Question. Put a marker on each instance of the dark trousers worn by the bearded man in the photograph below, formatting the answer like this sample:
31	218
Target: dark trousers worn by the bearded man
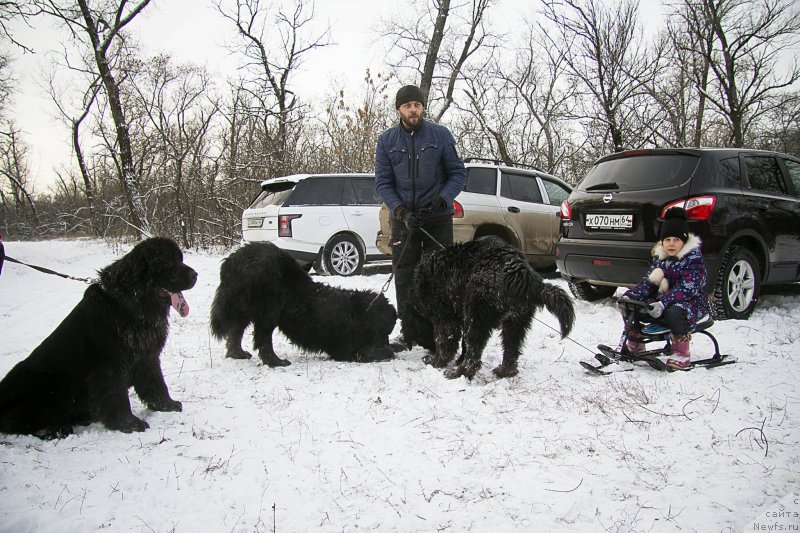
407	250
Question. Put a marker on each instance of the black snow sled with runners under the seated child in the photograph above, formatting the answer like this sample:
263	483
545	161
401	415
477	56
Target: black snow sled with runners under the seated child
621	359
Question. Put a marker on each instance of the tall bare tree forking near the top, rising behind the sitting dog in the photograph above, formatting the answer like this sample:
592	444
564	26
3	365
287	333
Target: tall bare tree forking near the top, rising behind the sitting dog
99	29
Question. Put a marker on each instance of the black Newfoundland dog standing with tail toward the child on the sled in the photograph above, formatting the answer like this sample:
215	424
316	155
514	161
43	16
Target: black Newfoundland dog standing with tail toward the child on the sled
473	288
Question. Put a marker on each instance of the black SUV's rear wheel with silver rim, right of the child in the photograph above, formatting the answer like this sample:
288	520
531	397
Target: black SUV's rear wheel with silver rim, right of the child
738	285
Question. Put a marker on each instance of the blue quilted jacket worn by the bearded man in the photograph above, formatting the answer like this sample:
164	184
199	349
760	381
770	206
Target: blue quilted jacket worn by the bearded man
412	168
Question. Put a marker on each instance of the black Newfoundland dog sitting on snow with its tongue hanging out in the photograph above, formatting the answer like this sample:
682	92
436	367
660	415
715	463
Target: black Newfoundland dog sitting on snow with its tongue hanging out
111	341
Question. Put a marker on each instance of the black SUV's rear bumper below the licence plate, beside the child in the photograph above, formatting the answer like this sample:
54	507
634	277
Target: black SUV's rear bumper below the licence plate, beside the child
603	262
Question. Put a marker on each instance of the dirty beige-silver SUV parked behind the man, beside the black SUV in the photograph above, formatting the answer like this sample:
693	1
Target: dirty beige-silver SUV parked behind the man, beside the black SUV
518	203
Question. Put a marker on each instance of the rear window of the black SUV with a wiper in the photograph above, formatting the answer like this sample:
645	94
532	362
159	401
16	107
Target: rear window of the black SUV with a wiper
641	172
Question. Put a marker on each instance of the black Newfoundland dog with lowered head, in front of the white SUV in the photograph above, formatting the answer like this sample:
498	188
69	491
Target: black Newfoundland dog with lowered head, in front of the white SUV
261	284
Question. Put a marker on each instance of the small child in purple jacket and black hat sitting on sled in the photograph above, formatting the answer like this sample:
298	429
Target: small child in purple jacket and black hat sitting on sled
673	287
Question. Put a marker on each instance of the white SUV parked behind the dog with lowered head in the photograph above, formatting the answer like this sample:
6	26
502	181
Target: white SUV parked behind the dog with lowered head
325	220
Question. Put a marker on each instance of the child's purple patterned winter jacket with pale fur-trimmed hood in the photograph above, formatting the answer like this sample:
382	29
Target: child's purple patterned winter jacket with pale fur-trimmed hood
678	280
